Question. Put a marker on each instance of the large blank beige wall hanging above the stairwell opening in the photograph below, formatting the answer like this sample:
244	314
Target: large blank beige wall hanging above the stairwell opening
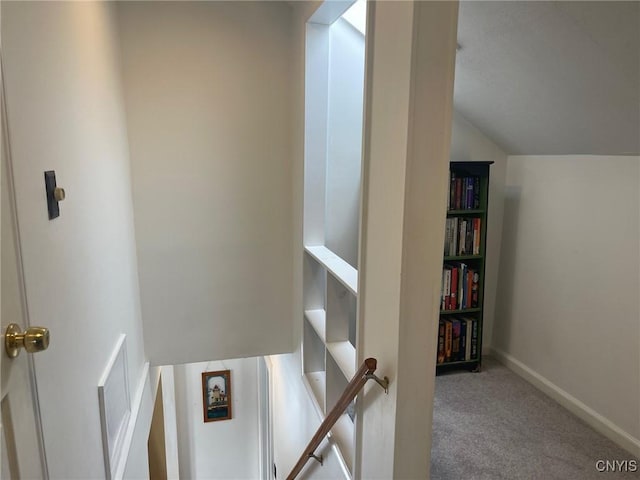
207	86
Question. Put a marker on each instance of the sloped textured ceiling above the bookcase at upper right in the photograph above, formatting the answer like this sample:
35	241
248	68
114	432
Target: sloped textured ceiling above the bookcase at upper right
551	77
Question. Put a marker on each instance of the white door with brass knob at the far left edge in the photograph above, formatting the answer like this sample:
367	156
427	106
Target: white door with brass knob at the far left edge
22	455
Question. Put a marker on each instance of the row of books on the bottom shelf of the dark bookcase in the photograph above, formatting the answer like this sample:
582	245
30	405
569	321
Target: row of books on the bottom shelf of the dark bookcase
457	340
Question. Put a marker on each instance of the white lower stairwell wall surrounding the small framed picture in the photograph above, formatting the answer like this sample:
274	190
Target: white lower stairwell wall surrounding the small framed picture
226	449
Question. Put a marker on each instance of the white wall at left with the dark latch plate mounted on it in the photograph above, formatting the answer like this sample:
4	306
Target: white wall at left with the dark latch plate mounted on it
66	112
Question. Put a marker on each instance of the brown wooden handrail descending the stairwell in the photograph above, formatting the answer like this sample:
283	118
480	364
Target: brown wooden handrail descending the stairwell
364	373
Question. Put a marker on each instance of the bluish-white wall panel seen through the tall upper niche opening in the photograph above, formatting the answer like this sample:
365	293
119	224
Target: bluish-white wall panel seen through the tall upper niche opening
344	140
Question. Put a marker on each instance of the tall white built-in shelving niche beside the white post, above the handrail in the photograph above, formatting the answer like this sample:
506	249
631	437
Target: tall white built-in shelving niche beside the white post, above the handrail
332	176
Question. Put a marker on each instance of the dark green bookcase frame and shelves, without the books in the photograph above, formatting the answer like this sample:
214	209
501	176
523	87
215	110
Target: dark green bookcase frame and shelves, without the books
474	262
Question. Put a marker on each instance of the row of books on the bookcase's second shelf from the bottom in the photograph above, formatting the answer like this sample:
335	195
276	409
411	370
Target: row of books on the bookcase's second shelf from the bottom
459	287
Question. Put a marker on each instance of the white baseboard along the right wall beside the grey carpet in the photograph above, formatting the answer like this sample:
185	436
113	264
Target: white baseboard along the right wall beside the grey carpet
575	406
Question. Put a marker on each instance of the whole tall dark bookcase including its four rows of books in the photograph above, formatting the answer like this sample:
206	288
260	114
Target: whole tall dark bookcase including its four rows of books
463	270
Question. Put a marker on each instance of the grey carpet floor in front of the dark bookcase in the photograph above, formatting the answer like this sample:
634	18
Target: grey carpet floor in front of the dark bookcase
494	425
